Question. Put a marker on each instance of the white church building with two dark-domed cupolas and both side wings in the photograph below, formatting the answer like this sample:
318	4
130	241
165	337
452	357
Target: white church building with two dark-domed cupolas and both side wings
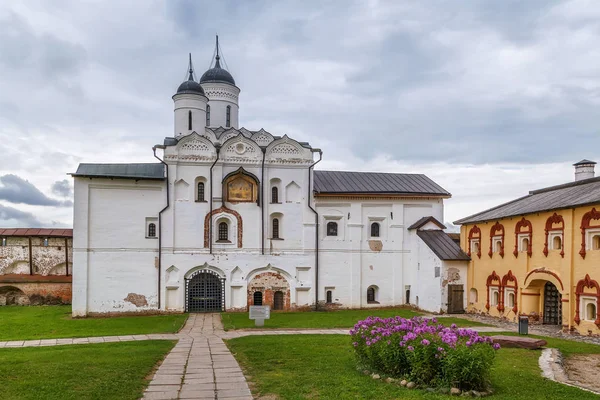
230	217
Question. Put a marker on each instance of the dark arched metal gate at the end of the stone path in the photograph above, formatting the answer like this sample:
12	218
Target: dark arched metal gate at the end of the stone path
204	292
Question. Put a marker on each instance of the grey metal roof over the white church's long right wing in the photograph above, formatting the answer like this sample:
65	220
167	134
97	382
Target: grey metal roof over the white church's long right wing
376	182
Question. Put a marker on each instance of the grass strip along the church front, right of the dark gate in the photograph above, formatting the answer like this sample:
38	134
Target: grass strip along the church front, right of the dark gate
326	319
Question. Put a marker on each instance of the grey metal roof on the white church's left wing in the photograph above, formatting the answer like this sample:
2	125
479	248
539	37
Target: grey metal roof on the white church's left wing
127	171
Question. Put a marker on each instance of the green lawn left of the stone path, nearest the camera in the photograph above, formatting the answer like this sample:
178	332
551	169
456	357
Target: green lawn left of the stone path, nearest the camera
96	371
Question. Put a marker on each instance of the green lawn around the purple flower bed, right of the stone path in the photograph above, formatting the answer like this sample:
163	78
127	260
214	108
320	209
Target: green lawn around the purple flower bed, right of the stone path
323	367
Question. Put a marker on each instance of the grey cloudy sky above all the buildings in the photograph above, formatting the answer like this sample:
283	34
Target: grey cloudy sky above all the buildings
490	99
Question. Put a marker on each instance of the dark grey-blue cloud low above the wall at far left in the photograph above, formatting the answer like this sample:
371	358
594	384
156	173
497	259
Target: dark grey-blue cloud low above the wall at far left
16	190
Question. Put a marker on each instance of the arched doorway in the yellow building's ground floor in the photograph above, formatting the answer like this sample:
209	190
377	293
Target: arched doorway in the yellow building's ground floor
542	296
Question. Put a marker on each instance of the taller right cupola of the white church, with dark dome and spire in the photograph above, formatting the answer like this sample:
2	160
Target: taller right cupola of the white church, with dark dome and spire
219	87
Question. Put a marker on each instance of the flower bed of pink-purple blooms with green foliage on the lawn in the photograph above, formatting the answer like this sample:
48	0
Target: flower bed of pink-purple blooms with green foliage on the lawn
425	352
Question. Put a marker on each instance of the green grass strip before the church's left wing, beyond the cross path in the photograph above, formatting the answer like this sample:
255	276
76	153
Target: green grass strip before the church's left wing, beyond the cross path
49	322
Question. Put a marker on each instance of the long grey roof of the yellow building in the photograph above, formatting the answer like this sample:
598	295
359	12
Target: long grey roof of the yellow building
572	194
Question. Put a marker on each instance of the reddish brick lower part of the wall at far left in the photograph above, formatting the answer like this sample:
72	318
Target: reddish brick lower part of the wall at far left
21	289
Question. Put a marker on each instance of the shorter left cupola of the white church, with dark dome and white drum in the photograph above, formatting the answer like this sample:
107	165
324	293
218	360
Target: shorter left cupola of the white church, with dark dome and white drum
190	105
